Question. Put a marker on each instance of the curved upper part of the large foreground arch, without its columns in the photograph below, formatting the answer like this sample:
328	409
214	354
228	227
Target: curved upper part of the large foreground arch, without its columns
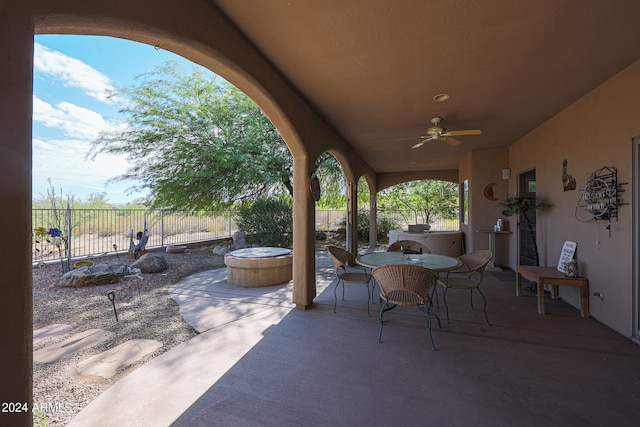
223	50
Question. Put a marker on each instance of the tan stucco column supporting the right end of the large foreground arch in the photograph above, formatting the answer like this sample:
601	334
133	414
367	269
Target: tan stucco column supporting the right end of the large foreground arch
304	236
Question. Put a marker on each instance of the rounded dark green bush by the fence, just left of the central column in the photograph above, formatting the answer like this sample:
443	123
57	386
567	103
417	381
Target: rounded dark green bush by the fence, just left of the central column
268	222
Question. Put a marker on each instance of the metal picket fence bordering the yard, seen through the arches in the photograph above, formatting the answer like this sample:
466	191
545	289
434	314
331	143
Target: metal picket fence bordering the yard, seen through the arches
97	232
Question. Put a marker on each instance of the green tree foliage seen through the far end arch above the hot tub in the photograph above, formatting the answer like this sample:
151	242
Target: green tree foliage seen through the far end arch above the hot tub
424	199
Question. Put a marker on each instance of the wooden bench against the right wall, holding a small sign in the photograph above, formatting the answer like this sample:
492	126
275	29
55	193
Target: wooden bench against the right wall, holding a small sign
551	276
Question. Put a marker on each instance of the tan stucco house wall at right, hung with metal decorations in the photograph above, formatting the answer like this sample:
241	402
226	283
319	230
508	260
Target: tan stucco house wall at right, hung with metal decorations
595	131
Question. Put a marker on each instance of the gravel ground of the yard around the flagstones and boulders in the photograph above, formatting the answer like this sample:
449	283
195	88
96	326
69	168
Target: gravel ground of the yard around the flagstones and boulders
145	310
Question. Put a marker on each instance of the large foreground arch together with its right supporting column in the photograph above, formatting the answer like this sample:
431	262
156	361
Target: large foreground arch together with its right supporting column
222	48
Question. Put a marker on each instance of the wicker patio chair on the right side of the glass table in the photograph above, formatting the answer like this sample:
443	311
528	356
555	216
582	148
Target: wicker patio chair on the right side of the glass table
475	264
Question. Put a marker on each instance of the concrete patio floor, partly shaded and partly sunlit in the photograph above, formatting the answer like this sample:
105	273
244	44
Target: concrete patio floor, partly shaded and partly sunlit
260	362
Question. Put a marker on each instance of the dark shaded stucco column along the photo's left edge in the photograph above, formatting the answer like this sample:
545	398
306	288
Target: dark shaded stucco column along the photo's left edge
16	325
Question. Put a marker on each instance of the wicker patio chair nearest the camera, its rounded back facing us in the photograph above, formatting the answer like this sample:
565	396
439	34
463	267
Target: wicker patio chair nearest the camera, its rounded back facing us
406	285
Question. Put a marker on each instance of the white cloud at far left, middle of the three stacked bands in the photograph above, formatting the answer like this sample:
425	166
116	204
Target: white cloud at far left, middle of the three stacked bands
75	121
